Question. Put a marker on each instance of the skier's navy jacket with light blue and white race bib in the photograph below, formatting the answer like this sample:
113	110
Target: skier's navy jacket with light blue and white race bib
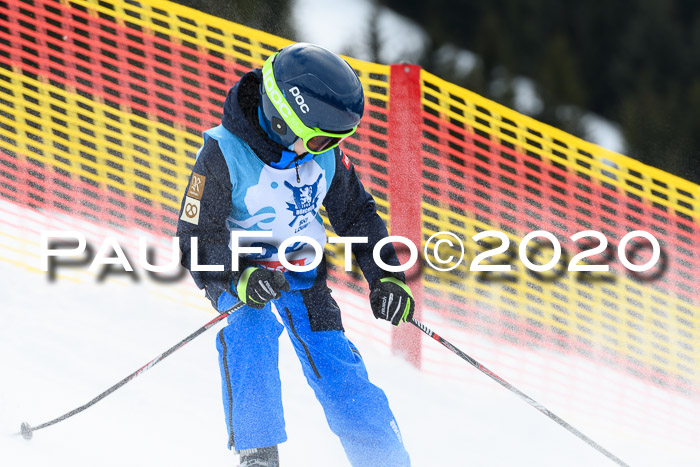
238	171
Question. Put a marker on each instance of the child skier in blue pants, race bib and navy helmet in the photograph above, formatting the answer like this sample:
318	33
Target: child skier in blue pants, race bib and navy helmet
266	171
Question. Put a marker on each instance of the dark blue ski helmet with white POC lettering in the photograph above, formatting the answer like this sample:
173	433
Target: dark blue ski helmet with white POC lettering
328	94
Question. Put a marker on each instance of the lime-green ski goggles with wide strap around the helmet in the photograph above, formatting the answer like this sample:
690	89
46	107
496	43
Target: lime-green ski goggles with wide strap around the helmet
315	140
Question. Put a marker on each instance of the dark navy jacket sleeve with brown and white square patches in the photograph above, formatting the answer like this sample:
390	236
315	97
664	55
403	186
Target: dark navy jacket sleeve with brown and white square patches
211	231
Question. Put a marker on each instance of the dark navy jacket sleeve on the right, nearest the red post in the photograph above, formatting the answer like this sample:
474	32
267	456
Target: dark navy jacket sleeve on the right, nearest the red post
352	213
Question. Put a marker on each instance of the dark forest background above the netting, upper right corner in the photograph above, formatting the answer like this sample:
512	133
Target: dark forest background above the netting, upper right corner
634	62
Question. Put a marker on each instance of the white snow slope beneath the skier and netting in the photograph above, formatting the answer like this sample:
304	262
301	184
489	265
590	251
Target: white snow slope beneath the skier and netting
65	342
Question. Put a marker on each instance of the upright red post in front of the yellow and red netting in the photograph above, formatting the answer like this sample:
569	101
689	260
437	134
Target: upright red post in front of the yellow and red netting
405	175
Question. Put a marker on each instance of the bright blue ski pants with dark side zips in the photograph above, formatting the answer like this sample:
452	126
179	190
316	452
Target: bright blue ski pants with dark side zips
357	411
